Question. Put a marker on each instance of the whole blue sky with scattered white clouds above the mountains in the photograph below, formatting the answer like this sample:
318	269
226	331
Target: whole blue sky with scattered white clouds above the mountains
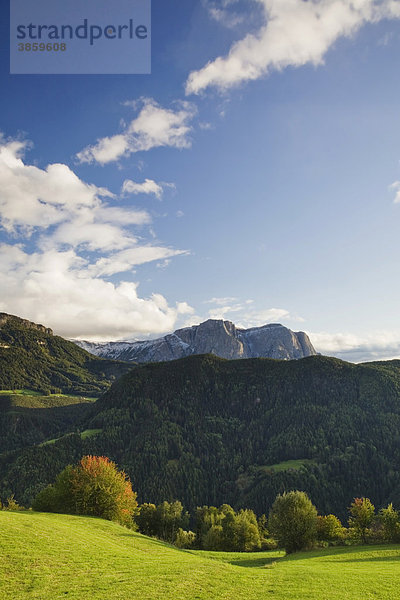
253	176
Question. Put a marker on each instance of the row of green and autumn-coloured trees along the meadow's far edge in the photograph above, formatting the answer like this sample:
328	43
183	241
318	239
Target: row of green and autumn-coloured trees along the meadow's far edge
96	487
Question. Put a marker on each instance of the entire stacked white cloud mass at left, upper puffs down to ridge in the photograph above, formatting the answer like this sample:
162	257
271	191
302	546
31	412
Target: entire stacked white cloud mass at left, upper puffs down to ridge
66	239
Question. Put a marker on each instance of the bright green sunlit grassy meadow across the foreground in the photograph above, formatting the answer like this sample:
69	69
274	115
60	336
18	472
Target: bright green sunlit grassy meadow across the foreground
47	557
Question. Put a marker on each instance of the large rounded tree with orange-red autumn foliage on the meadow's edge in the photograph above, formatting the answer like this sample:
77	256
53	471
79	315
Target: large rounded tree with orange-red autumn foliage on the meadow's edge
93	487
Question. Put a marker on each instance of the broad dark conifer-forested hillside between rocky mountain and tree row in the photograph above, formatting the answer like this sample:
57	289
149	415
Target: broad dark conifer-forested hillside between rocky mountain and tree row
207	431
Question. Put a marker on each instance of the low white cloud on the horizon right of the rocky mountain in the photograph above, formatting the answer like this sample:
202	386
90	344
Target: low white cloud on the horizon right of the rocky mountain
378	345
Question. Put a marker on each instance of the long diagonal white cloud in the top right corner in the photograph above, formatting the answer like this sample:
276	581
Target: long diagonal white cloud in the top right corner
294	33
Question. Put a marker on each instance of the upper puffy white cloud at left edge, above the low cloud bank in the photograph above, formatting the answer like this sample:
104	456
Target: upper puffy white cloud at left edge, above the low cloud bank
34	199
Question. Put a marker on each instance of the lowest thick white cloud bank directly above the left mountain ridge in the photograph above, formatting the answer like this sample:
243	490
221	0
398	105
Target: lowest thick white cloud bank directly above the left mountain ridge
55	288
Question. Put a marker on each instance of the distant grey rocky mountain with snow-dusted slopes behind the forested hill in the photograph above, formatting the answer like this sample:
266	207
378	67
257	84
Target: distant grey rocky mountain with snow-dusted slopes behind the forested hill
218	337
